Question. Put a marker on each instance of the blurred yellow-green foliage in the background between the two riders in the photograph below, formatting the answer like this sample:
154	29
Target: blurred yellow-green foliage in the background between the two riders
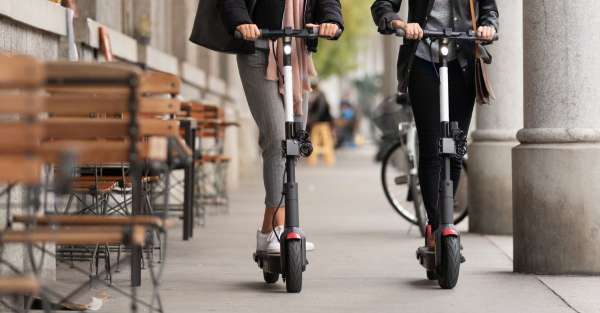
339	57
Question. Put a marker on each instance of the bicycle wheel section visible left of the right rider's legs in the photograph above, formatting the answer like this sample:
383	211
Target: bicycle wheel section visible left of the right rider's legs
394	180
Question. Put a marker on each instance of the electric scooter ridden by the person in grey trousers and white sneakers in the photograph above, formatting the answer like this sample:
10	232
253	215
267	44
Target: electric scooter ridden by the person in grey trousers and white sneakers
291	261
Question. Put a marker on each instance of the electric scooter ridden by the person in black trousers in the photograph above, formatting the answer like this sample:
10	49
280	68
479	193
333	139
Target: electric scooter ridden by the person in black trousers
443	263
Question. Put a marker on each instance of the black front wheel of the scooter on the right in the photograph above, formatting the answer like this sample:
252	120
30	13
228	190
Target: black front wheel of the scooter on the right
449	268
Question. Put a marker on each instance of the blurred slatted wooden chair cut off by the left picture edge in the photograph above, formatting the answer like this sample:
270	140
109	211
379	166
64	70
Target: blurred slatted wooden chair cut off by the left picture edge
22	131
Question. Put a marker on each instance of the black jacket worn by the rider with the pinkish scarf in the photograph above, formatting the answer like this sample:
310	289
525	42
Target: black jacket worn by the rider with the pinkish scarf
237	12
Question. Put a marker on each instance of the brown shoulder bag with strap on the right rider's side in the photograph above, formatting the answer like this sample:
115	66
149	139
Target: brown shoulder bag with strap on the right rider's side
483	86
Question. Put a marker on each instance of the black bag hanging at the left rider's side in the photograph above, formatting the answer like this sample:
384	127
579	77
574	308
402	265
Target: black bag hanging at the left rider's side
210	31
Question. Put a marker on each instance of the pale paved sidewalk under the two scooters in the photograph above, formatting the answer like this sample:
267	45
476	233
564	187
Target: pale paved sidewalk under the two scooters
364	261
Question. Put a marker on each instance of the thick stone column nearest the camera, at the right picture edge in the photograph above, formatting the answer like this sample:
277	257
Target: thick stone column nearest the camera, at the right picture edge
556	169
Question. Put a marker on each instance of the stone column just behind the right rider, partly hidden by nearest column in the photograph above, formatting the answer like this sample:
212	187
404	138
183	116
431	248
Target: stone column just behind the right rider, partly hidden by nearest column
490	171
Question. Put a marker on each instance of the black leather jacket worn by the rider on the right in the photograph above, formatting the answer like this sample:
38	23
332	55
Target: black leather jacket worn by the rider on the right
384	11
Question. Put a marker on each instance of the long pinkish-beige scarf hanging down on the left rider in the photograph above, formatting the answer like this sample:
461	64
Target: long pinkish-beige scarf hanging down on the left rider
302	62
